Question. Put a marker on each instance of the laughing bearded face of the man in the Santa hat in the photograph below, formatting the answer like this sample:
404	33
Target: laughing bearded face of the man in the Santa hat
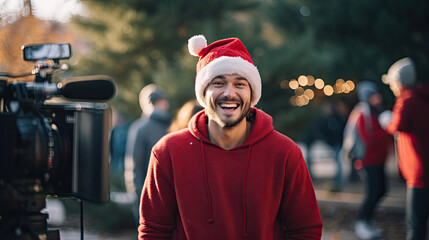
228	99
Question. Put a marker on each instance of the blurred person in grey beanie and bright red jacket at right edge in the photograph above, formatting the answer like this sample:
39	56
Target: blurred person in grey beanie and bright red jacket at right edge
409	124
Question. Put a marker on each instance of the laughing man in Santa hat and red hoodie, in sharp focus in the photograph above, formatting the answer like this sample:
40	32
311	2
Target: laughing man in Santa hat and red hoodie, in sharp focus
229	175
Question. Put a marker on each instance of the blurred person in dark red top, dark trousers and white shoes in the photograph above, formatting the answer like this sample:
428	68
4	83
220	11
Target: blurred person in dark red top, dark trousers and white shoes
376	148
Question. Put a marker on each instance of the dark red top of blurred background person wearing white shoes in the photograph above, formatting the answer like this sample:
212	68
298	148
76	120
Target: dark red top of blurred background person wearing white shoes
377	142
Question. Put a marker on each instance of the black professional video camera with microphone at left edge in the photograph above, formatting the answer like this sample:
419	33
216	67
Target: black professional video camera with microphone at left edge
50	148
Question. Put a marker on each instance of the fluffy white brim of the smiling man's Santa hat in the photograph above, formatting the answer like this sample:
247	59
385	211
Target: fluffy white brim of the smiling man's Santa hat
228	65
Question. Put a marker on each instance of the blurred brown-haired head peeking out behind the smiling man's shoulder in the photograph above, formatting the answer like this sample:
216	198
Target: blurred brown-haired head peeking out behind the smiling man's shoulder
185	113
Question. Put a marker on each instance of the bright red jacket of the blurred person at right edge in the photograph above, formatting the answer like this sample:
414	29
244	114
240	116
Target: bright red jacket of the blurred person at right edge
411	119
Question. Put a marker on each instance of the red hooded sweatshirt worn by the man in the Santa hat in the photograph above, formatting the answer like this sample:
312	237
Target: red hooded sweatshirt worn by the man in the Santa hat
196	190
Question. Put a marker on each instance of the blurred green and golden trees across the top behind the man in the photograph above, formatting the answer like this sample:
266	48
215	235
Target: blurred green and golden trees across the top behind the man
138	42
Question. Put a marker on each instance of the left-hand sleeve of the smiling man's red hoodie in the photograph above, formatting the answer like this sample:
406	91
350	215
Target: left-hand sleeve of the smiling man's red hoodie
158	208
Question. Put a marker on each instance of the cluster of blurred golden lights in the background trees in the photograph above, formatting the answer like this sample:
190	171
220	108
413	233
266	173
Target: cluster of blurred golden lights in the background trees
304	92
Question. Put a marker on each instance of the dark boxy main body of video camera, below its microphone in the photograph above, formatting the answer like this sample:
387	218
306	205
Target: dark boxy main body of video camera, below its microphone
62	149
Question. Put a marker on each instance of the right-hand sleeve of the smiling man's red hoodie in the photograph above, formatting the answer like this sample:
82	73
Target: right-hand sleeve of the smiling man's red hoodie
299	209
